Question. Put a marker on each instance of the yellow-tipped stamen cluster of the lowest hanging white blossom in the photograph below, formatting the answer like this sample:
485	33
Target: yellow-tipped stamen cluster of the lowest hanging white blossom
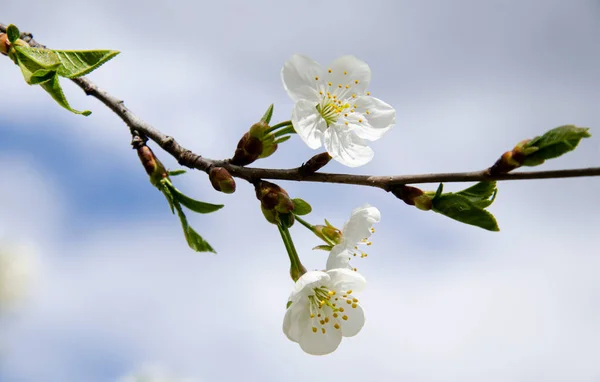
327	308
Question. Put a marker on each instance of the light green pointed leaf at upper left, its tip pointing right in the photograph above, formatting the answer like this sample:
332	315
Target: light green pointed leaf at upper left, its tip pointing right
79	63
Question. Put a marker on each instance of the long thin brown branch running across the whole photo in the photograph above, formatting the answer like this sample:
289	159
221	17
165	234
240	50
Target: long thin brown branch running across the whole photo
189	159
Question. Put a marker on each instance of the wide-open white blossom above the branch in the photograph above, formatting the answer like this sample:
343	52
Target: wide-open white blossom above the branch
334	108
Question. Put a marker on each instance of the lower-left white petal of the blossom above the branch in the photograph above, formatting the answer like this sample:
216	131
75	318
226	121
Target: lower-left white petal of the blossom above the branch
308	123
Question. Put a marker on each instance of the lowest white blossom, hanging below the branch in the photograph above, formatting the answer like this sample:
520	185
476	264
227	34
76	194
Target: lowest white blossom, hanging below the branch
322	309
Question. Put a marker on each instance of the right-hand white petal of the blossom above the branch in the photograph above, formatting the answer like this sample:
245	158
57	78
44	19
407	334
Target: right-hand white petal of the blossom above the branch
378	121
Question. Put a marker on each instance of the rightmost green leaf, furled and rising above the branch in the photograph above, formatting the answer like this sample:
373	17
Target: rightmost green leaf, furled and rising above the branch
554	143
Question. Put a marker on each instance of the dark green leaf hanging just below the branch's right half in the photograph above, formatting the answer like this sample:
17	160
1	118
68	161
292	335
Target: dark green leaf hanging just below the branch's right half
462	209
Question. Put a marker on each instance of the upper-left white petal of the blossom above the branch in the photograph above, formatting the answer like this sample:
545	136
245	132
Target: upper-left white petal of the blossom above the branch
301	77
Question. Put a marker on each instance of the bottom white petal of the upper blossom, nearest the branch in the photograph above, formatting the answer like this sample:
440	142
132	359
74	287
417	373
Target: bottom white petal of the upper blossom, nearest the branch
347	148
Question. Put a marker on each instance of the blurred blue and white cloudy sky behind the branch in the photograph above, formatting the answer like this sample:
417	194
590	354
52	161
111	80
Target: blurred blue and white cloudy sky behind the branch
117	286
